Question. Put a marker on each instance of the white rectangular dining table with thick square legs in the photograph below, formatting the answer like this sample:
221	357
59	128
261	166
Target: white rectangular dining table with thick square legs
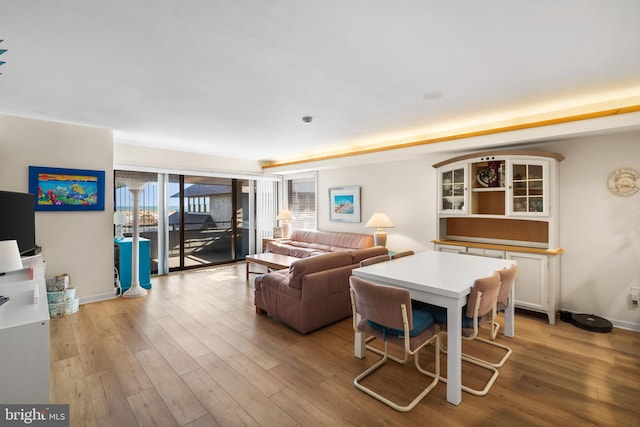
442	279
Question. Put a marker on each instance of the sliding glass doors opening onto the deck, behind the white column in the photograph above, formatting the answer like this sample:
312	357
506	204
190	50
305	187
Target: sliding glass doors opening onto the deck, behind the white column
200	220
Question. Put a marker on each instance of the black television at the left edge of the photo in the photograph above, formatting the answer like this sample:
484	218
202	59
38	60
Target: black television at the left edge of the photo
17	220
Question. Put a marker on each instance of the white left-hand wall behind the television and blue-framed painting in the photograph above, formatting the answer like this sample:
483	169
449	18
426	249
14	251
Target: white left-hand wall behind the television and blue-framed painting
77	243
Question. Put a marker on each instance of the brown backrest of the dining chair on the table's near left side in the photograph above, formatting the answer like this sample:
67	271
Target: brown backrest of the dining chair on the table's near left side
381	304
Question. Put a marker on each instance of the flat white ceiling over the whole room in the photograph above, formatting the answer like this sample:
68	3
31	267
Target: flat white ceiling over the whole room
234	78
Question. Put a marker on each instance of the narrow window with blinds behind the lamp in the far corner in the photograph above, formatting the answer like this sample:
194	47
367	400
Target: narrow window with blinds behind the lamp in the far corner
300	198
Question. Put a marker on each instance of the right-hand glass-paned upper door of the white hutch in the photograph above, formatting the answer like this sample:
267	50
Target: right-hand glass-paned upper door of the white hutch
528	191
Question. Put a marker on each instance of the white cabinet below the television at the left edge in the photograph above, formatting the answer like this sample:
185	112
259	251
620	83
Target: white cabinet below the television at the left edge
24	338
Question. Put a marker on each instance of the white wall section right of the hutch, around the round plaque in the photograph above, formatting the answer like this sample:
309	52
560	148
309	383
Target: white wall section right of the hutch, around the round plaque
599	231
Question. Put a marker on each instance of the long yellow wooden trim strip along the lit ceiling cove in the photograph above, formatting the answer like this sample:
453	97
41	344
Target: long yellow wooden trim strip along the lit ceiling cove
491	131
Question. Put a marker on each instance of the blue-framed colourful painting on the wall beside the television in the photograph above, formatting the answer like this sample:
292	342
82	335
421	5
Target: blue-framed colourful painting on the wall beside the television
59	189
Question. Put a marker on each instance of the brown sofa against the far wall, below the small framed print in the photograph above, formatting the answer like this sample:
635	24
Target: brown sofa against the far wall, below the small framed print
305	243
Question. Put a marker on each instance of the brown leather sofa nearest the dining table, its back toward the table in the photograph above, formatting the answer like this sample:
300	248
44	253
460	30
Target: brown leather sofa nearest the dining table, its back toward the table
314	291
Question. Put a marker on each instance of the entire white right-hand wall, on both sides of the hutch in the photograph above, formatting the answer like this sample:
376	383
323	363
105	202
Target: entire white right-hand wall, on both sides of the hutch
600	232
